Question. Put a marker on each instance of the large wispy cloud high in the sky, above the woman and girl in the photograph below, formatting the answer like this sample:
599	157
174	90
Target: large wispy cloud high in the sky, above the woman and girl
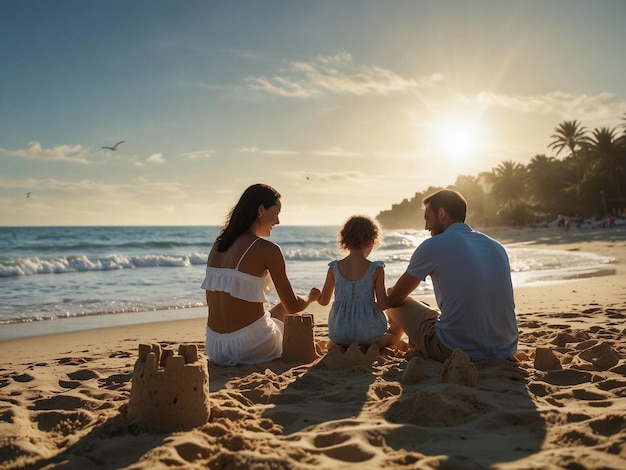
336	75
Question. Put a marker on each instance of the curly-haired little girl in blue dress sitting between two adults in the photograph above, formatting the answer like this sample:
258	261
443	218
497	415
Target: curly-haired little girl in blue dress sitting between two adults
356	315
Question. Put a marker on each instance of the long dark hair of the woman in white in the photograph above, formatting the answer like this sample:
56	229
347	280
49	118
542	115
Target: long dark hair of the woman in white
245	212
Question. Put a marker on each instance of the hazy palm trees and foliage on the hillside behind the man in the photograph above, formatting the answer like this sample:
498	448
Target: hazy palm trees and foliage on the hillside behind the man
589	181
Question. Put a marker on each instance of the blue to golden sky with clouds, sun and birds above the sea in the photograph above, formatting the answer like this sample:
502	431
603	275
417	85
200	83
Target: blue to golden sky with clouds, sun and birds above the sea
345	107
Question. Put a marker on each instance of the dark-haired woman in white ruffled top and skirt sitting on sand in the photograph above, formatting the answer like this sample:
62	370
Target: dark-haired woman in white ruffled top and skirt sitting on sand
242	268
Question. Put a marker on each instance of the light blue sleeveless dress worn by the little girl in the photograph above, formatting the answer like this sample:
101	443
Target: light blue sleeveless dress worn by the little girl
354	316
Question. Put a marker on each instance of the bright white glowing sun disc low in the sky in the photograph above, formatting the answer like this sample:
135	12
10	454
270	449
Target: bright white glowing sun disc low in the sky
458	138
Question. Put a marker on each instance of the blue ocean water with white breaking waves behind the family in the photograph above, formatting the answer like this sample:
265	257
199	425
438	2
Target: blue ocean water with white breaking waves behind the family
48	273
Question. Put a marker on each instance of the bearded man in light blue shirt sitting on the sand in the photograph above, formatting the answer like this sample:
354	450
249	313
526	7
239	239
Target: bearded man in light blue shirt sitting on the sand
471	277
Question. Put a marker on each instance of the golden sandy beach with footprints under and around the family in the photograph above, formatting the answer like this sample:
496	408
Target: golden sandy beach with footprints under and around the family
64	397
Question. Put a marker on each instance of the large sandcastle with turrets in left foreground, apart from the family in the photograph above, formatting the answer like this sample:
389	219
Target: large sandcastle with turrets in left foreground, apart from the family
169	391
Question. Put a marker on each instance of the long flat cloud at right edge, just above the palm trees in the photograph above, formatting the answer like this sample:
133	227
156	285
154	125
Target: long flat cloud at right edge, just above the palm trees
566	105
